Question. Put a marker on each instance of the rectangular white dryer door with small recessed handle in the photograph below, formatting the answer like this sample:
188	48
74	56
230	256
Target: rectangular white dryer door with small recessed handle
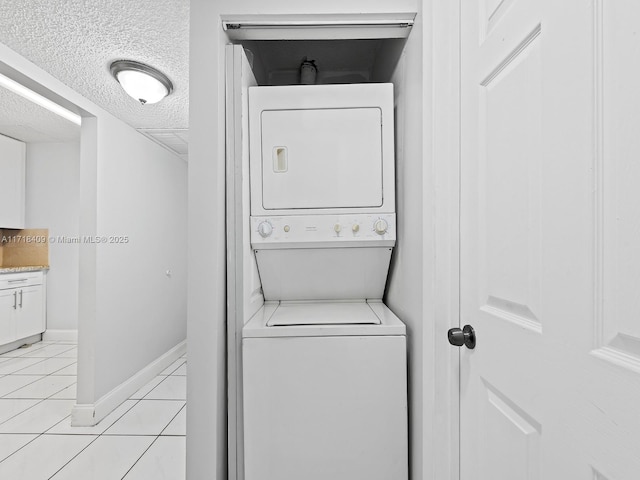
321	158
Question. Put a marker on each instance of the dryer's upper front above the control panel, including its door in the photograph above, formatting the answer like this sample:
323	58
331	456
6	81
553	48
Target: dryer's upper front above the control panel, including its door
321	149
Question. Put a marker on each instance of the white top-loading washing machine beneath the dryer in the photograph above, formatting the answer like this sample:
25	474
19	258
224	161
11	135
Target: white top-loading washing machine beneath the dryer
325	392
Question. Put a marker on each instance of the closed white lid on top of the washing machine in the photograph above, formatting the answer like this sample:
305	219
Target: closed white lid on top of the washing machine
323	313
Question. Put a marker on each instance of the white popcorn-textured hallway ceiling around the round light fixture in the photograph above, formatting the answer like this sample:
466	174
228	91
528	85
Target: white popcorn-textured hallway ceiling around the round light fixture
76	40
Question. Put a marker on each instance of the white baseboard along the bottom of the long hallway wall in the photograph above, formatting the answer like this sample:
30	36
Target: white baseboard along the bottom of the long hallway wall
88	415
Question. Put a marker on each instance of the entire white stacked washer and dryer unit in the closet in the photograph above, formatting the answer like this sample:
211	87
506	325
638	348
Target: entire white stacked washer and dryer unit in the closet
324	360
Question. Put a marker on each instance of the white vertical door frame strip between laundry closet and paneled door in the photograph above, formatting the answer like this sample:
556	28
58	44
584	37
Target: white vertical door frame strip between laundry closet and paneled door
441	262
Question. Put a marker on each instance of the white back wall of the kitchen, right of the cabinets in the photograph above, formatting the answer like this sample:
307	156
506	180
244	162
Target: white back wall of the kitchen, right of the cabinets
52	201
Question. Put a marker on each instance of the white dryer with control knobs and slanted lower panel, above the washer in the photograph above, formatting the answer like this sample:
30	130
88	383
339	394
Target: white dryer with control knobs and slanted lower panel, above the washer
322	190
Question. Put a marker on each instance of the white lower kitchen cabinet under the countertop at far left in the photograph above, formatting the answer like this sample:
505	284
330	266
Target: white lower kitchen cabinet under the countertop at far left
22	306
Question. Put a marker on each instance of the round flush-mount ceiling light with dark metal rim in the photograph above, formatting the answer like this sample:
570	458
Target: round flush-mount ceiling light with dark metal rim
140	81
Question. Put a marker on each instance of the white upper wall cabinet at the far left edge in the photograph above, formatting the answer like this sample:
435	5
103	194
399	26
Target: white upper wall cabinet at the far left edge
12	182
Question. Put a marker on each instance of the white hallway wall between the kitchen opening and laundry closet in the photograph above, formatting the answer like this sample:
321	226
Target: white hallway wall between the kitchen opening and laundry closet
139	201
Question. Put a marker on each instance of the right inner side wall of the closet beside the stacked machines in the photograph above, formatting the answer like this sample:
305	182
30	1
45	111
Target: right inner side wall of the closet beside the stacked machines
406	295
